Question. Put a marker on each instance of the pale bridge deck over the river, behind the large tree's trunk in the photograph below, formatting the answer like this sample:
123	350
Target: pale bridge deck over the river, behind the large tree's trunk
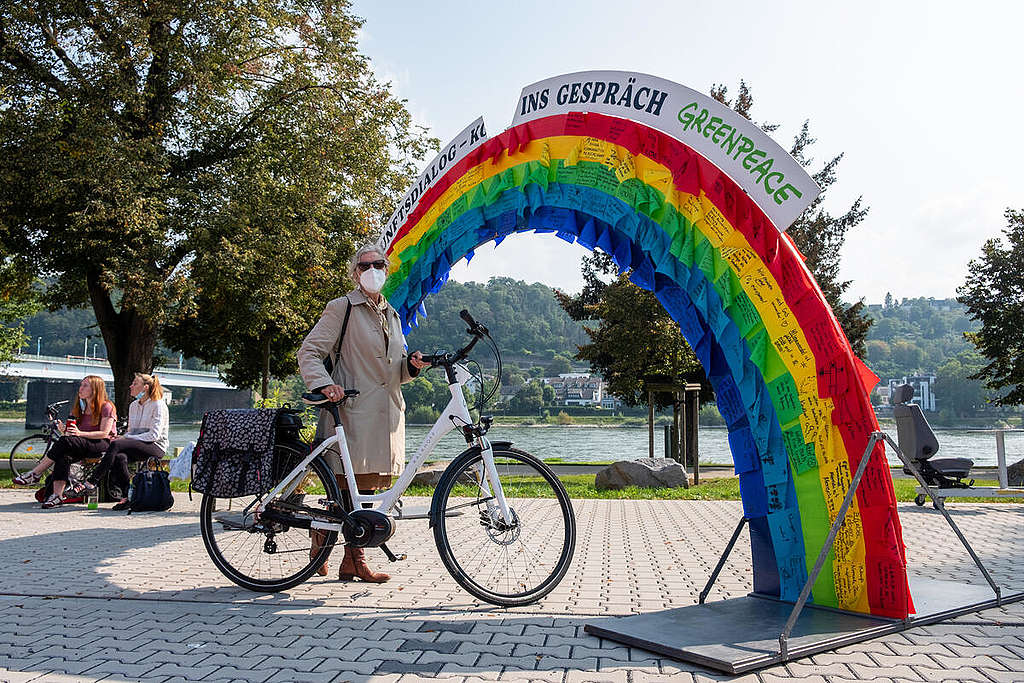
73	368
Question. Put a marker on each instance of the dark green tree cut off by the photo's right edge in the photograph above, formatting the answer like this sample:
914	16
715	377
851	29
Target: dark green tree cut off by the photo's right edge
994	294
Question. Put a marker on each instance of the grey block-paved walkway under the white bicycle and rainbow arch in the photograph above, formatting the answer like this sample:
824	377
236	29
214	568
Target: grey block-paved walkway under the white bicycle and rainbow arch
105	596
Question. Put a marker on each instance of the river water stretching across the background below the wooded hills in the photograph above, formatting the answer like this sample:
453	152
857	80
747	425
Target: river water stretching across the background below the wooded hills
608	444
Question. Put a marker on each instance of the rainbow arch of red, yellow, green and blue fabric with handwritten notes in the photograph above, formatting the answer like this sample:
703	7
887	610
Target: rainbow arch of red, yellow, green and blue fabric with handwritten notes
792	392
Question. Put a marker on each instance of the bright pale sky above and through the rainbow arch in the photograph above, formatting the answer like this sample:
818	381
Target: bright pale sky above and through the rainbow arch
924	99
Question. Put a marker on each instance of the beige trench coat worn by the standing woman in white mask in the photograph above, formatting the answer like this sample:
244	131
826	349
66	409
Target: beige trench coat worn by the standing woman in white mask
375	421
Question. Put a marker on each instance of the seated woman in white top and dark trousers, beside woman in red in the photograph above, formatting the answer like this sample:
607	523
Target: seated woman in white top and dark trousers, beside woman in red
147	438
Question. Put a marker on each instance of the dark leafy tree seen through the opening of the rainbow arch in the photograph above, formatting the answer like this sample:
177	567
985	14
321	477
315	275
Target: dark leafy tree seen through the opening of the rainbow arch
634	336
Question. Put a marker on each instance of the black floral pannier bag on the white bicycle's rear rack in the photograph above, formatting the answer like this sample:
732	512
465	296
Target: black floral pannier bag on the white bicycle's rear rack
235	453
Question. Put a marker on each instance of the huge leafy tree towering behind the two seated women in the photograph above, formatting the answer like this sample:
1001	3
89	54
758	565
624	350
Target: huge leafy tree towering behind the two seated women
137	141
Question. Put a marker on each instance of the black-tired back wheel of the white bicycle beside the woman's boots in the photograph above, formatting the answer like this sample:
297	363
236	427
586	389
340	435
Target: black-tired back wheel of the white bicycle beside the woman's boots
247	558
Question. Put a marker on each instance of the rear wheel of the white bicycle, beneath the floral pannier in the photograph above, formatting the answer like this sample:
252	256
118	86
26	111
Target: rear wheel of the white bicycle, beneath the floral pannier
276	556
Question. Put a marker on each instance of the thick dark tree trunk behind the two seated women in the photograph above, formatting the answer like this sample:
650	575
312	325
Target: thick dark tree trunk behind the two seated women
131	341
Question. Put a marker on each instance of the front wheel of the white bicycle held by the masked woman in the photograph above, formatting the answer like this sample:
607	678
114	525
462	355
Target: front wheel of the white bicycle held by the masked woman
498	562
